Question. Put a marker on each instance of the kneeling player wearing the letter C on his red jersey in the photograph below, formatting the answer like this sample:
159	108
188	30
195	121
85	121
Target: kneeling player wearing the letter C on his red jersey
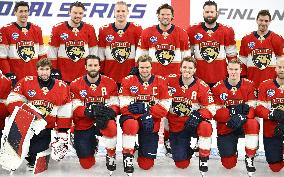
144	100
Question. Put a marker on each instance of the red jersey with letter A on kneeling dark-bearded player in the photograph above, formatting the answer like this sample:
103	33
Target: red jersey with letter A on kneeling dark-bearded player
84	93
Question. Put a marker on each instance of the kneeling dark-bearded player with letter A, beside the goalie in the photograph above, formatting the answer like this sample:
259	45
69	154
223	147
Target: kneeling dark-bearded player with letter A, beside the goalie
95	106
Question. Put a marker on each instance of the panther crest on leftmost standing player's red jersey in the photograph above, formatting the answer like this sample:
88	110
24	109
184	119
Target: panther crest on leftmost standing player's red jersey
25	50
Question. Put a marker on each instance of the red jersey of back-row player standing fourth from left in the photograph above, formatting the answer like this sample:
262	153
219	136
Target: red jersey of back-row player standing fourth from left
167	48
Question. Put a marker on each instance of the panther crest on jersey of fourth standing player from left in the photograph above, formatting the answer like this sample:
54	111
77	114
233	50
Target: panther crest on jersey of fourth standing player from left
165	53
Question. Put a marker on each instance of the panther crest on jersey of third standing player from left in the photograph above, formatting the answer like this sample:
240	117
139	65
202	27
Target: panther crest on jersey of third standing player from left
120	51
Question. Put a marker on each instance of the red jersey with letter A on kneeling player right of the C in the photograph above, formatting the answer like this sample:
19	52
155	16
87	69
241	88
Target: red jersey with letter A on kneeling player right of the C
186	98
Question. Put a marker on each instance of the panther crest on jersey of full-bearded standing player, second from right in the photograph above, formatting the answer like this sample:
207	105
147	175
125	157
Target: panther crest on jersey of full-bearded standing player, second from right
209	50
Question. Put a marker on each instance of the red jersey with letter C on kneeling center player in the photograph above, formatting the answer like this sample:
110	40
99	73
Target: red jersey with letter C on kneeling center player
154	92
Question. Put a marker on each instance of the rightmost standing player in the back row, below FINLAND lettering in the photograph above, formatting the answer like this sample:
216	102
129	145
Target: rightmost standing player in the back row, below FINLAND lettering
260	49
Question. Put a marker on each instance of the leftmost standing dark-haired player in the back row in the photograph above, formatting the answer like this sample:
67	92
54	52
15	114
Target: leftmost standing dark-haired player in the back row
21	45
